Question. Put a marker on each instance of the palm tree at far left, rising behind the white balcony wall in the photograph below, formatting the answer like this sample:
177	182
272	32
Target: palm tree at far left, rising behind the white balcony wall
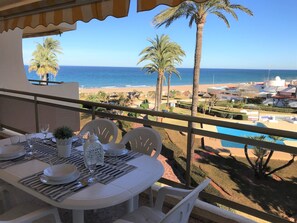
45	59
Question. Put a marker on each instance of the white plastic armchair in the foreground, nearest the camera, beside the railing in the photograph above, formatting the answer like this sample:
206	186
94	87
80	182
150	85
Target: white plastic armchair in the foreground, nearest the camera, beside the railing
180	213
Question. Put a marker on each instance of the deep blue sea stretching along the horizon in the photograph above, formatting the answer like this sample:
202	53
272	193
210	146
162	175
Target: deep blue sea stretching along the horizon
89	77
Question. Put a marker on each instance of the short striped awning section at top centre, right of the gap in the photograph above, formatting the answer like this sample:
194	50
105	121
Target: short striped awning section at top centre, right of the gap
145	5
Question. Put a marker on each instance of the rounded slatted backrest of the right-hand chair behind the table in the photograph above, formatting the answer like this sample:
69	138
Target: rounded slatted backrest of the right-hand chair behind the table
144	140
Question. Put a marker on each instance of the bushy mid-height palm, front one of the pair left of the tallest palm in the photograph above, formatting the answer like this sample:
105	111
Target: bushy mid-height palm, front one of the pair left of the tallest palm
163	56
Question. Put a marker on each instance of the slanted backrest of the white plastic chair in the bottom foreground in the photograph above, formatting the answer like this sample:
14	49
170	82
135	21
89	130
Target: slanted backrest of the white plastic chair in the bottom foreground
180	213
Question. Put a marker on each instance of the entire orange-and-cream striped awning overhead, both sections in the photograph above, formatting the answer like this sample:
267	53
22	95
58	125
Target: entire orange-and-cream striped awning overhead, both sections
31	13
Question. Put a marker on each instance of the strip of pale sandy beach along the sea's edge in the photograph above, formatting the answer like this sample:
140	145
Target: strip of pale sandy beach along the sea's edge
202	88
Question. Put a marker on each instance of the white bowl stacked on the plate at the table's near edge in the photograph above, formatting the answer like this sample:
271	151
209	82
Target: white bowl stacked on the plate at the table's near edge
60	172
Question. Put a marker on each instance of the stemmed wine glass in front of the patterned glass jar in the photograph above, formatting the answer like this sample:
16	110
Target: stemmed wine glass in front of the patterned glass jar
91	158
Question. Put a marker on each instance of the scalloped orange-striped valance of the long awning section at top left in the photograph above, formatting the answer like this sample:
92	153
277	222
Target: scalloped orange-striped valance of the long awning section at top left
95	10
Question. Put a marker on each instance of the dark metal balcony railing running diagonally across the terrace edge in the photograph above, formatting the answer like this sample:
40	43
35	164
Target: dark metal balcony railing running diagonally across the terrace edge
90	108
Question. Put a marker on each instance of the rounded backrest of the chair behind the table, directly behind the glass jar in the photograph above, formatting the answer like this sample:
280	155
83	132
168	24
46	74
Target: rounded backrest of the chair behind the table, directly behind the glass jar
105	129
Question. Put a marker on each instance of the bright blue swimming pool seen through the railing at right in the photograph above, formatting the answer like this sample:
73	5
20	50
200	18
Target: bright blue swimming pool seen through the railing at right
242	133
